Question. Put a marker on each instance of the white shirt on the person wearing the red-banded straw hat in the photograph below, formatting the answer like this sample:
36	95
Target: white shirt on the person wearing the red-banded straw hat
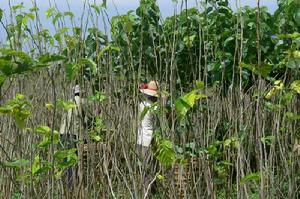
145	129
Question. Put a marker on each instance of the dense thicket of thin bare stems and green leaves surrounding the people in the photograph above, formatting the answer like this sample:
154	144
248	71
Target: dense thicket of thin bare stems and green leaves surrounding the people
245	144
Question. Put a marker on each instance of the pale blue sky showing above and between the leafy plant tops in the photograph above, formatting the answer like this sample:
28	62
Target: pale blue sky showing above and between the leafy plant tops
115	7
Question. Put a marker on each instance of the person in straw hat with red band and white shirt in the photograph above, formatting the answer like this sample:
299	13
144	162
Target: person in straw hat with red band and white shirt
146	127
